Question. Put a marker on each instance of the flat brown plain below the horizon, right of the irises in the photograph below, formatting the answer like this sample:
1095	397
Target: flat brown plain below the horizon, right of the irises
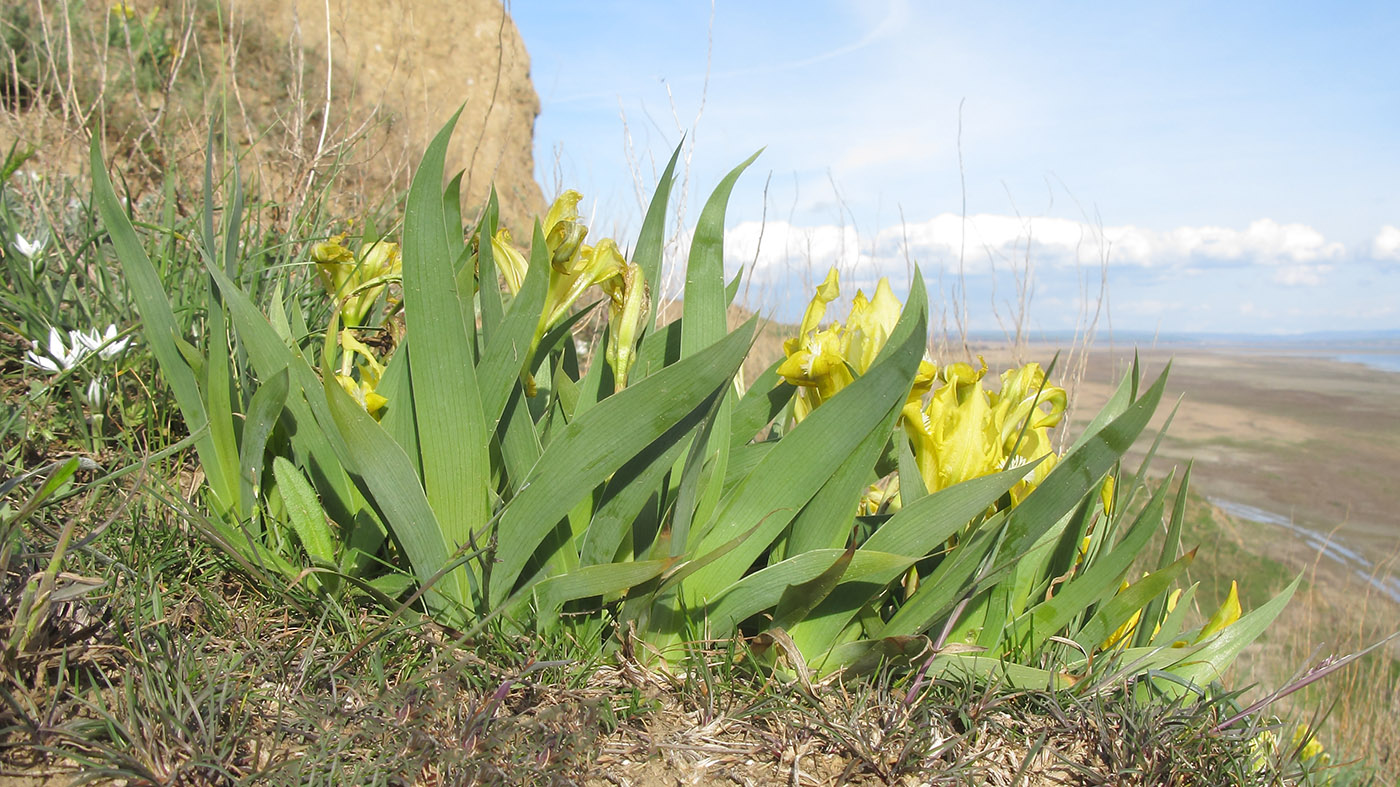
1312	440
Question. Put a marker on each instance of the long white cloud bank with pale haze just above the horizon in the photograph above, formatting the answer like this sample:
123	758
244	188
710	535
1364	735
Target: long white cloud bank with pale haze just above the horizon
1268	275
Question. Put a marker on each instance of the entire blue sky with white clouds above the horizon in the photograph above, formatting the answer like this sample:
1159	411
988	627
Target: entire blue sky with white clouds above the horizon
1227	167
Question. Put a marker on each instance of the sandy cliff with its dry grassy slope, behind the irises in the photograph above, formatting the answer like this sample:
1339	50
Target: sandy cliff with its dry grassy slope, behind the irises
400	69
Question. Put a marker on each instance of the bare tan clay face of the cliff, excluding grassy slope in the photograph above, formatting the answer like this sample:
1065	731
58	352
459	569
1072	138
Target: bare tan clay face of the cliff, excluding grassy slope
416	62
